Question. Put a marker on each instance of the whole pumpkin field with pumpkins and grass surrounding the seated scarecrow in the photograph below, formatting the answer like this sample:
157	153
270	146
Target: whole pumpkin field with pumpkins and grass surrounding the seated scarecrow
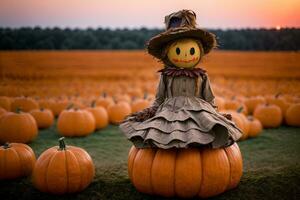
83	96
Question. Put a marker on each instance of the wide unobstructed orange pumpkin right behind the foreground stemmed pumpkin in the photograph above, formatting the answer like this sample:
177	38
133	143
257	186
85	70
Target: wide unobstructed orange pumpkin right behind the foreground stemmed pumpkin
76	122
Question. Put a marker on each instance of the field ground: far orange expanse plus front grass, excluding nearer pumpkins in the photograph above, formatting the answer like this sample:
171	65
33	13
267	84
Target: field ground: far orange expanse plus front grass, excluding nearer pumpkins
51	79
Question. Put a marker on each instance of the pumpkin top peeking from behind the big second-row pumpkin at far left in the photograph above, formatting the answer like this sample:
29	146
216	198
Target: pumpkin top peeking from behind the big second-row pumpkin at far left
25	104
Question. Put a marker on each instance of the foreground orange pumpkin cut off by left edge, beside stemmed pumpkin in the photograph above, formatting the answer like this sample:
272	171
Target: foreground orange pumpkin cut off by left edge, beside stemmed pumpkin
16	160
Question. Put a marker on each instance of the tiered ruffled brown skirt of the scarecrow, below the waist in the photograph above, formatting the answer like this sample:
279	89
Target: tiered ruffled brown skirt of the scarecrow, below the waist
182	122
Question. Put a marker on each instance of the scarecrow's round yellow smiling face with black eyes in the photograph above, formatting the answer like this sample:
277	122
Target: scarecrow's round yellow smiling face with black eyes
184	53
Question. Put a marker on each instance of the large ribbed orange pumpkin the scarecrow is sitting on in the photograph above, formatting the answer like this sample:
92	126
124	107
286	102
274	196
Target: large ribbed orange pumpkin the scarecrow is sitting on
185	172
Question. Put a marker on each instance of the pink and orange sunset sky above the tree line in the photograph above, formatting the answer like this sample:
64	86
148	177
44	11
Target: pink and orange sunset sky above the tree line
148	13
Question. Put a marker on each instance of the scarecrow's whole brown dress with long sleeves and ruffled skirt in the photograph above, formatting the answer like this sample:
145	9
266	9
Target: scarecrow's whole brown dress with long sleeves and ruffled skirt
184	115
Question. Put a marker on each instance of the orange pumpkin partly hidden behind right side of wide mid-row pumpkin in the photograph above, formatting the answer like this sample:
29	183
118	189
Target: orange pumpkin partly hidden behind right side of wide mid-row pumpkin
100	115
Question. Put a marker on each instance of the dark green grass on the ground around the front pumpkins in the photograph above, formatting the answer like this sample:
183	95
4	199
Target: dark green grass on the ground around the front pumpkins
271	167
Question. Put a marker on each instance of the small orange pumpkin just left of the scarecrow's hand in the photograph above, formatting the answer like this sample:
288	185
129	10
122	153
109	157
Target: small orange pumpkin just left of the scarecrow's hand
118	112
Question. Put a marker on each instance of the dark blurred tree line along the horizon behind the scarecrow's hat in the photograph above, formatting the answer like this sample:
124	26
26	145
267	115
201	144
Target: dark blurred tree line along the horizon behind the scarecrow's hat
57	38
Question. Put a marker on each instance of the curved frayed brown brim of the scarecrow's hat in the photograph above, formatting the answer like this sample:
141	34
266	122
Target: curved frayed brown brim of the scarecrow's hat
157	43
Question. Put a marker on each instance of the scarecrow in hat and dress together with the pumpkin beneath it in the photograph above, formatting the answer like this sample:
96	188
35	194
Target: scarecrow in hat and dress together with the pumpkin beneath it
183	118
